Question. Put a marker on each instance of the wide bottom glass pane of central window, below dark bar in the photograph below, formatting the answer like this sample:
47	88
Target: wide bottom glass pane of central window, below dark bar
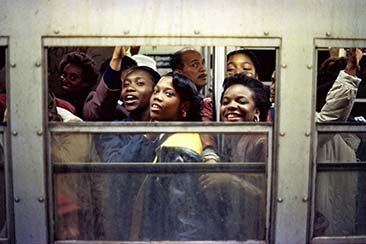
207	206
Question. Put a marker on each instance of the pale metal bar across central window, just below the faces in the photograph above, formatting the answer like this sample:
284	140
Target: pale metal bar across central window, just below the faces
159	127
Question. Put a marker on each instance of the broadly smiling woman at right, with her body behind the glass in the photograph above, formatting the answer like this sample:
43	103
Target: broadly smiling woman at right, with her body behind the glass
241	196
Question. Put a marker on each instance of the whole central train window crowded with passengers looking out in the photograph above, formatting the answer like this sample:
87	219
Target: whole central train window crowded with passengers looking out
125	181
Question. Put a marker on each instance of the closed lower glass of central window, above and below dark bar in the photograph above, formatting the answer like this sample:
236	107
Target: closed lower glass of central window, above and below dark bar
159	206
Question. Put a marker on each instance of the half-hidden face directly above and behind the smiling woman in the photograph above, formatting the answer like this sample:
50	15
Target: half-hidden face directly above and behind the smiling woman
240	63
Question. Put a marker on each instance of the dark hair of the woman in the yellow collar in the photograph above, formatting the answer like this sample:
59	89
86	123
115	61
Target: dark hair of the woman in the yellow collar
188	93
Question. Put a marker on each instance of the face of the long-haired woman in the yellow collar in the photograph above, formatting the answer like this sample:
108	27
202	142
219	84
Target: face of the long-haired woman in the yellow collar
165	102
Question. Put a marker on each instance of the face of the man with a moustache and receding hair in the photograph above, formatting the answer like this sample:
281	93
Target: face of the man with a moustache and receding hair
193	68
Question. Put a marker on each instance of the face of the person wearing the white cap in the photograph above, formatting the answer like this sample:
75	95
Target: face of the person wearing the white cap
137	88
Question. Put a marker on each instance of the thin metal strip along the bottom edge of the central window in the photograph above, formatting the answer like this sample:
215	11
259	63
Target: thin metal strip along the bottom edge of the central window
162	242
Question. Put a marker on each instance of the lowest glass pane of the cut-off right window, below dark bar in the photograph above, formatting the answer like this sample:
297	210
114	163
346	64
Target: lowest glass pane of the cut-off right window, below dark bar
340	204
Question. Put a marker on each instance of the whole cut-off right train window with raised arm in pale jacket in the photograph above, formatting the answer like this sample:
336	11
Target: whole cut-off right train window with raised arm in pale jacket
340	154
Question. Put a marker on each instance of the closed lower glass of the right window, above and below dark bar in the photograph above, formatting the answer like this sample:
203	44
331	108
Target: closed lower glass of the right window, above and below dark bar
340	194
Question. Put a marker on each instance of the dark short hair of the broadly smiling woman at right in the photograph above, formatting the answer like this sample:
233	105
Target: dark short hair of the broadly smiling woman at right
260	93
